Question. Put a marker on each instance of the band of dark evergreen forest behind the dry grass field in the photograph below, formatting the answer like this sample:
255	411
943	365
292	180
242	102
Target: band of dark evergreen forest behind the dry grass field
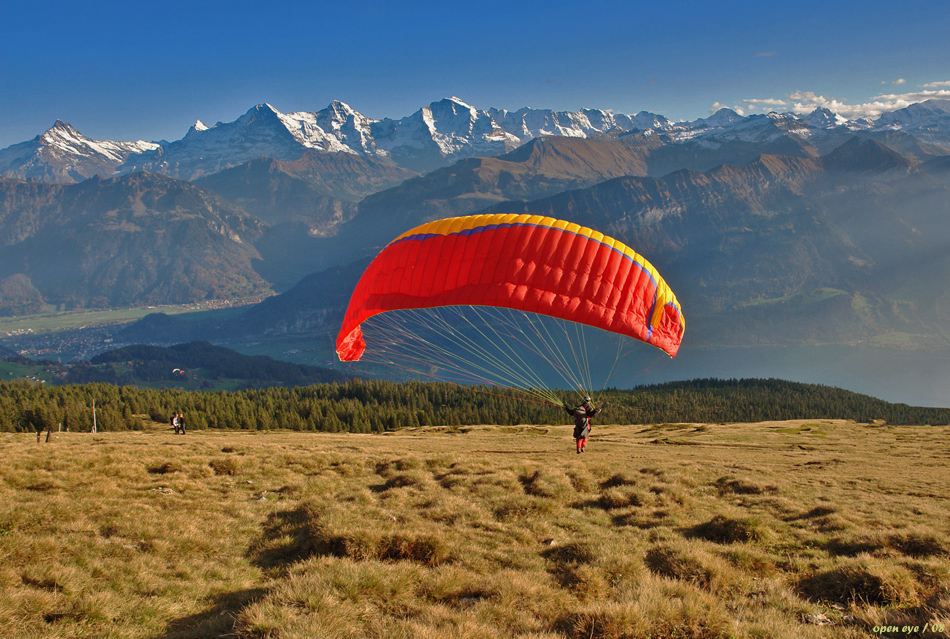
375	406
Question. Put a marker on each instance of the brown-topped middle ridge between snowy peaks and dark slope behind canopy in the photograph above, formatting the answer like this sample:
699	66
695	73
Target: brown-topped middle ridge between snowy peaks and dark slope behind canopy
550	165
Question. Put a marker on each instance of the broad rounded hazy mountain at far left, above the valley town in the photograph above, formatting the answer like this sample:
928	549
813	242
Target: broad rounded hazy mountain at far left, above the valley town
134	240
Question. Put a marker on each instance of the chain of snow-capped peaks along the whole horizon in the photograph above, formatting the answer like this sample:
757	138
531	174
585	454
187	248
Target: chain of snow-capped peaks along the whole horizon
436	135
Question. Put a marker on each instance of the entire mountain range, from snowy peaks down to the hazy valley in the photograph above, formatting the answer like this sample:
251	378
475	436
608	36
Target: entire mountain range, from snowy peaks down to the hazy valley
773	229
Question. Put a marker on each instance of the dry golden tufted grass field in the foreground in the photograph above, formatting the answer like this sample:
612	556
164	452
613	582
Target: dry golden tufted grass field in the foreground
792	529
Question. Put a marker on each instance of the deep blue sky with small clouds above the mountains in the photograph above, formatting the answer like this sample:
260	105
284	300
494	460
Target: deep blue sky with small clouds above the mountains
147	70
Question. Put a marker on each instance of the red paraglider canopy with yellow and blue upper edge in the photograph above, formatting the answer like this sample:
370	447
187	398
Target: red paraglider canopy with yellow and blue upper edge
524	262
